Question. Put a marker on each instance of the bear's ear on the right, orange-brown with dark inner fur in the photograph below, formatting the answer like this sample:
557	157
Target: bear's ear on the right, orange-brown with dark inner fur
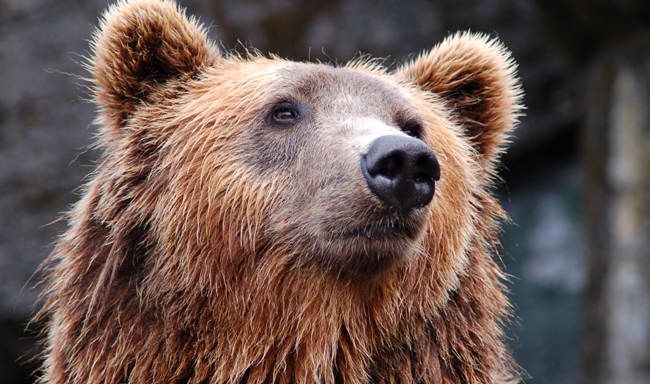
477	79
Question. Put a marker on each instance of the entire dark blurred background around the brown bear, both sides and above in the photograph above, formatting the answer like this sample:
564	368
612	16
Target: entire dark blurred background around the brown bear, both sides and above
576	179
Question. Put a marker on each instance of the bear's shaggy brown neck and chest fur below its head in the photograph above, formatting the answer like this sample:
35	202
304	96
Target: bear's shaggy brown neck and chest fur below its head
121	319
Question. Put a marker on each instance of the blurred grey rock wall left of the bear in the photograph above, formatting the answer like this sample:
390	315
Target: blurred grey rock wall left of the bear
43	126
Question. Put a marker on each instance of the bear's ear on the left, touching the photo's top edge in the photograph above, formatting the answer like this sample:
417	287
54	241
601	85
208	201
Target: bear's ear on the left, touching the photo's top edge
140	45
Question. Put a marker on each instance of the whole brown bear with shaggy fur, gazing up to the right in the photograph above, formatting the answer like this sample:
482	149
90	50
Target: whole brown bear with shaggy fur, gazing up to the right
257	220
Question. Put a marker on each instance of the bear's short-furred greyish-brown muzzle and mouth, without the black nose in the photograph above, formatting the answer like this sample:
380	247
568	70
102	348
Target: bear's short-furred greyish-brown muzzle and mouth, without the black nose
333	217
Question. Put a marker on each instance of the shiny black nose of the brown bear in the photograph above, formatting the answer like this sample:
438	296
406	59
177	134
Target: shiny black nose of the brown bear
401	171
